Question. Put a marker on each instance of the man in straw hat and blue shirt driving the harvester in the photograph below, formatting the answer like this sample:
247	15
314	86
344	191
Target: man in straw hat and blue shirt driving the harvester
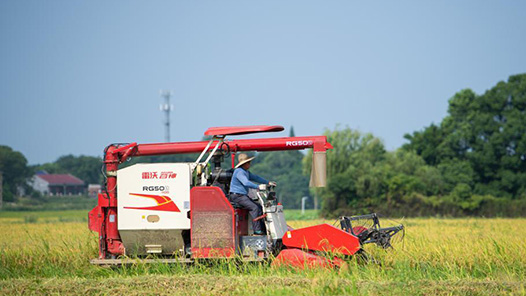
239	187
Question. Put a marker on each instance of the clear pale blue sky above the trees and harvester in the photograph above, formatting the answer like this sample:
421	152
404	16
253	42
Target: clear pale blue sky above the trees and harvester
78	75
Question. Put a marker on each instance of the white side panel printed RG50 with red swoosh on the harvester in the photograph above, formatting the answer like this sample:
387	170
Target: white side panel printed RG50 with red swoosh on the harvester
153	196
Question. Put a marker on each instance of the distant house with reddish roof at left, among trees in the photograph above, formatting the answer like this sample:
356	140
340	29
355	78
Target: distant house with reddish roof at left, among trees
57	184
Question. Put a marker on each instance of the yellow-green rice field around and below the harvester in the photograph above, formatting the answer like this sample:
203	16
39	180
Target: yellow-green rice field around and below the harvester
49	253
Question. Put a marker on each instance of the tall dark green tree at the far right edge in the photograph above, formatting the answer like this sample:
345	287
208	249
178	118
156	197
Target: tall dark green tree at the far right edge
481	144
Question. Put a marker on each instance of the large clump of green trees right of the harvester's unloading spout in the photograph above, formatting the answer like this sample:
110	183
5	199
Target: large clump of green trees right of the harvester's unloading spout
471	163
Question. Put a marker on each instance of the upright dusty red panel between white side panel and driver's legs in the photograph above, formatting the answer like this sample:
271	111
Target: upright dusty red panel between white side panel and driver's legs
213	224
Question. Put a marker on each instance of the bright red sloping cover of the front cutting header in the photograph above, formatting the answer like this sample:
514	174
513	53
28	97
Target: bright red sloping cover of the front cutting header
323	237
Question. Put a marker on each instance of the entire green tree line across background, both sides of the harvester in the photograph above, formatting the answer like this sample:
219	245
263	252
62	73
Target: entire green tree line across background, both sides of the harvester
471	163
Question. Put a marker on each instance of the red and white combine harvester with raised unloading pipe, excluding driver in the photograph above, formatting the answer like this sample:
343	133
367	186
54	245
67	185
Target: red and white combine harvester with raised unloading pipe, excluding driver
180	212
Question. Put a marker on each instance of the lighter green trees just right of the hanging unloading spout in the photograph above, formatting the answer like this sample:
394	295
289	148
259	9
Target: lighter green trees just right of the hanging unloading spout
363	177
